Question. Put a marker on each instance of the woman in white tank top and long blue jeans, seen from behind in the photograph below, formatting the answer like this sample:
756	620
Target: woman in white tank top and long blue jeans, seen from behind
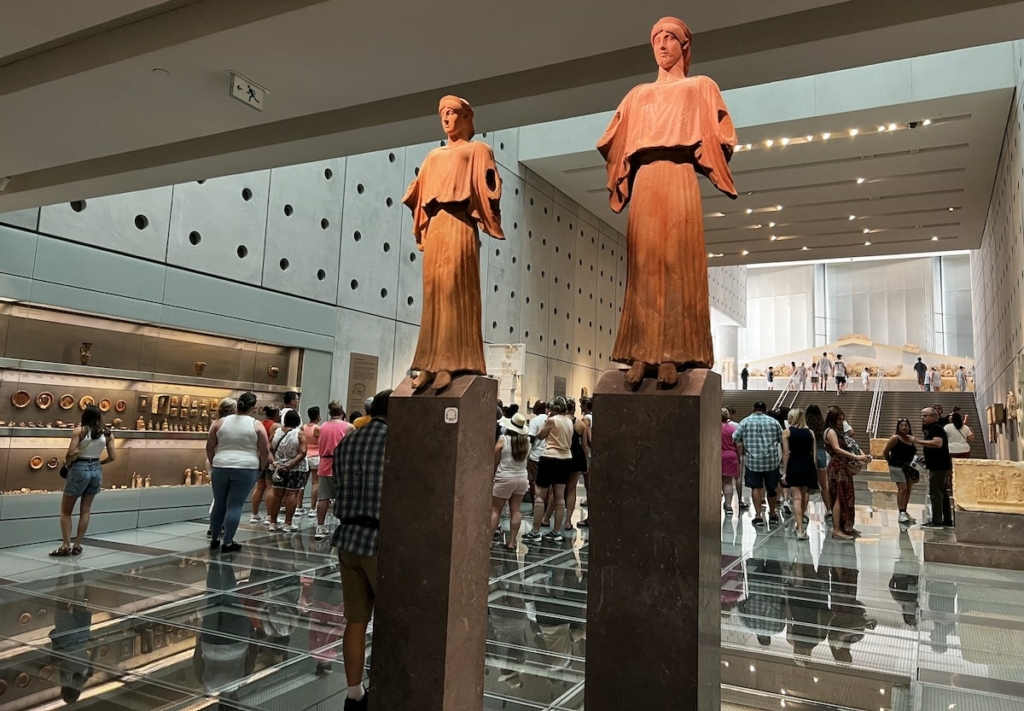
238	449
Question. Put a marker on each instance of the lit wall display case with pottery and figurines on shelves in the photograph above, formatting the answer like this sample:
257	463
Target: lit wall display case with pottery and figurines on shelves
159	390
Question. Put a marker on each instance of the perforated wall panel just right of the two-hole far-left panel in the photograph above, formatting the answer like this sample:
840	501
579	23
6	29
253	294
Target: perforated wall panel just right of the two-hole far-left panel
219	227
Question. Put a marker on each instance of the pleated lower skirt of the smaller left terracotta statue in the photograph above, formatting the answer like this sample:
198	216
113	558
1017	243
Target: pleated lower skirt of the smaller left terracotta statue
451	331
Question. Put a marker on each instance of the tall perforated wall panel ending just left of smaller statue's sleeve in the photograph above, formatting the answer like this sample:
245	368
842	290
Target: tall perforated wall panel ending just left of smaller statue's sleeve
372	236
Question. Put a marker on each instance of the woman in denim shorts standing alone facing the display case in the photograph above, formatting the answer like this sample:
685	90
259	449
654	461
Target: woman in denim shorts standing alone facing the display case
84	478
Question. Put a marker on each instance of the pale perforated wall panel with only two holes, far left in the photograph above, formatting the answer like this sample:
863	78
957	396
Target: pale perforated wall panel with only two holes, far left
134	224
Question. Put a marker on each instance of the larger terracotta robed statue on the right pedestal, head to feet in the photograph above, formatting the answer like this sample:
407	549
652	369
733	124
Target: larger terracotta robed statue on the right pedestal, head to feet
662	137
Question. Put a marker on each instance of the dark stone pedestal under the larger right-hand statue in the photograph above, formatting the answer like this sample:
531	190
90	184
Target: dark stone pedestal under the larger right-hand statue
654	600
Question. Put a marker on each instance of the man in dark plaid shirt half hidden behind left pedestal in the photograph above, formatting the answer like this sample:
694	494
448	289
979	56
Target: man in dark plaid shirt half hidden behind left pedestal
359	464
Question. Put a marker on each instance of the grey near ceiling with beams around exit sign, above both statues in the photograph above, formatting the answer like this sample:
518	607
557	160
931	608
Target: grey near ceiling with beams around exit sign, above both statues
108	98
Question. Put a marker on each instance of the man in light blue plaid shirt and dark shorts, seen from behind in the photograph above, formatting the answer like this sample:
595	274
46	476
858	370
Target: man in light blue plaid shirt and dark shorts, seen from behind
759	440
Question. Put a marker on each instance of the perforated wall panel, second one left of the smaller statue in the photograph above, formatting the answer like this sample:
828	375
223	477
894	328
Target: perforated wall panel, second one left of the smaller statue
304	230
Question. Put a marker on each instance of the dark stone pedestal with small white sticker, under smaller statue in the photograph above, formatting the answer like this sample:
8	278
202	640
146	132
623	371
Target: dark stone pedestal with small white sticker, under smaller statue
432	614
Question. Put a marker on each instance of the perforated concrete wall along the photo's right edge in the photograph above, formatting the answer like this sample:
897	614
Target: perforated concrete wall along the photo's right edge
998	275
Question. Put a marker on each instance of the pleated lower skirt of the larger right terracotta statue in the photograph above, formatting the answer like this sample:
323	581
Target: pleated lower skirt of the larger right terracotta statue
666	314
